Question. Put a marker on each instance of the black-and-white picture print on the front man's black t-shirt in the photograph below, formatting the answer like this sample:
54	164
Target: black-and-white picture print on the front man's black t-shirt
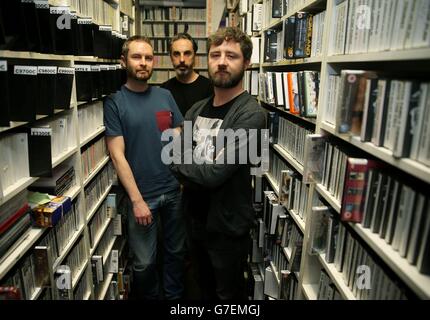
205	131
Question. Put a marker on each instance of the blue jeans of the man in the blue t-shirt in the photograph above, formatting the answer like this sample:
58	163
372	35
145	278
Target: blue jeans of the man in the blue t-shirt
167	218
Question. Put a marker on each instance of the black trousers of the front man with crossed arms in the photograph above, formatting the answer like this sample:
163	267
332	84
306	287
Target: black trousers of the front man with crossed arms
220	262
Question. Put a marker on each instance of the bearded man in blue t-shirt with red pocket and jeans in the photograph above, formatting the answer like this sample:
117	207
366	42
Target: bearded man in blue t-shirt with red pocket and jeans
135	118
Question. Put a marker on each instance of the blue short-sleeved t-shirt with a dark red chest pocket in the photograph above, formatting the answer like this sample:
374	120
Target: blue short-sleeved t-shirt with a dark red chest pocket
141	117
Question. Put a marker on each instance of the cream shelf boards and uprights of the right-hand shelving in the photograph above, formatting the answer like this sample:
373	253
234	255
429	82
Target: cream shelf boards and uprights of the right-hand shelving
409	63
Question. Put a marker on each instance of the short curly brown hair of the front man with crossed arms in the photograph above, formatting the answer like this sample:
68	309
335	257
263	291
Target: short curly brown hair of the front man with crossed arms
235	34
